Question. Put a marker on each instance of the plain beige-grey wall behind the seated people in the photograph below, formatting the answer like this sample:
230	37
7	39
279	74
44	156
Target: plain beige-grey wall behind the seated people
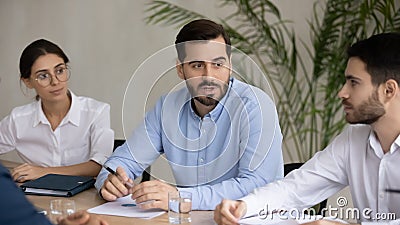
106	42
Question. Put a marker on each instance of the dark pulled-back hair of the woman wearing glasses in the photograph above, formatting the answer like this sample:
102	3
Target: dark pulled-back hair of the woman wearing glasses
33	51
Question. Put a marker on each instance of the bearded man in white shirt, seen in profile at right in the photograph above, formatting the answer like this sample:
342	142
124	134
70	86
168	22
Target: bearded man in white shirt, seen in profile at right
364	156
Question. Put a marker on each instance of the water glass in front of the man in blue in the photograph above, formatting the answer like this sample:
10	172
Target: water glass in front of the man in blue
179	207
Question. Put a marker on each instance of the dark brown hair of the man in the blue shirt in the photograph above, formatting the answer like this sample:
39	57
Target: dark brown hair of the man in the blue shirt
201	29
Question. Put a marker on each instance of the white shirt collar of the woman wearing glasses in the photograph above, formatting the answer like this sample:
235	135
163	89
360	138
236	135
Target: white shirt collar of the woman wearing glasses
73	116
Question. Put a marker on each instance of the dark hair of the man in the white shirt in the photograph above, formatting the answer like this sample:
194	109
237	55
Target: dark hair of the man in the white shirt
381	54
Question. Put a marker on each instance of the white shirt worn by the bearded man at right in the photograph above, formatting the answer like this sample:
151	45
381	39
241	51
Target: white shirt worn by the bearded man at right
354	158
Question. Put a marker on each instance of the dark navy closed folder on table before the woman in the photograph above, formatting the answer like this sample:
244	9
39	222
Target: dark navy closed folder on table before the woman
58	185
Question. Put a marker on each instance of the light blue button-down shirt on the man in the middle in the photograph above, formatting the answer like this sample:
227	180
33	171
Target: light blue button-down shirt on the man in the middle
226	154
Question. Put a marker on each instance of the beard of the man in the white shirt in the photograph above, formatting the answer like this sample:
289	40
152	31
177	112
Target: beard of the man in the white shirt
368	112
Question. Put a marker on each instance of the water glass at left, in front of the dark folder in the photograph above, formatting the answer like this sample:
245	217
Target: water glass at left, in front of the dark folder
61	208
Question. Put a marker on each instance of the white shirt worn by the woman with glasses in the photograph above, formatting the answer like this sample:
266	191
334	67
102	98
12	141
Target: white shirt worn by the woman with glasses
84	134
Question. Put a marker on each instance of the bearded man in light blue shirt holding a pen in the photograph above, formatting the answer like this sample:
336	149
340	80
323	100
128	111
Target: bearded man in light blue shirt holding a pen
220	136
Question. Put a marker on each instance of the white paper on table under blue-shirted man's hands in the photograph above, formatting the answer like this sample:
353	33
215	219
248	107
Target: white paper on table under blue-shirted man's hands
127	207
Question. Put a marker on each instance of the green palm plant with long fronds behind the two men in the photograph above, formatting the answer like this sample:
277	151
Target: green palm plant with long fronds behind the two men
306	96
